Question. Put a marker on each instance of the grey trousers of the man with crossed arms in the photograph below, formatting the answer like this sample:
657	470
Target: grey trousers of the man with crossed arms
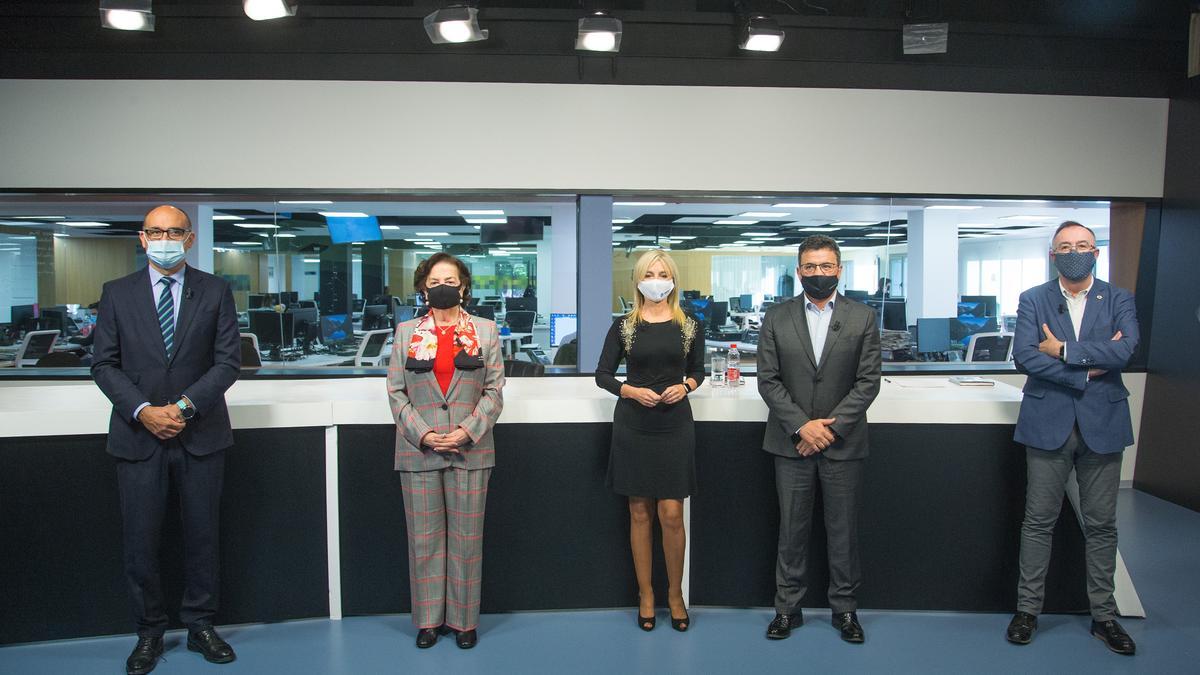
1099	476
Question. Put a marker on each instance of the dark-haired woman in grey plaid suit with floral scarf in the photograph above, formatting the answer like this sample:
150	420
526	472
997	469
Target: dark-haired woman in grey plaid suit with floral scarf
445	384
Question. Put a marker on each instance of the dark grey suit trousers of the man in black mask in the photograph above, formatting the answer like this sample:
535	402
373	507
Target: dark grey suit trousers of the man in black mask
796	481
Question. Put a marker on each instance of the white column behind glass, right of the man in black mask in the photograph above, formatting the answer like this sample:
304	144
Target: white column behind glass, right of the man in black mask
933	265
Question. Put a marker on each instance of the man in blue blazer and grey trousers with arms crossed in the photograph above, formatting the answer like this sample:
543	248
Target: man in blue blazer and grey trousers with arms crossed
1075	334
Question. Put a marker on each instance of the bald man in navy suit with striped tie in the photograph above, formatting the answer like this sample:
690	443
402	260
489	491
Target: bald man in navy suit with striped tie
166	351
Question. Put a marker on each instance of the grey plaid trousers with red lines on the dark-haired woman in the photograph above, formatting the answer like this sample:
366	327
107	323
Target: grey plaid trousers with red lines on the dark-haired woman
445	512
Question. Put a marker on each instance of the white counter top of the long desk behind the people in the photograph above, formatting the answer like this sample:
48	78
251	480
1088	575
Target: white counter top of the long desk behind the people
52	409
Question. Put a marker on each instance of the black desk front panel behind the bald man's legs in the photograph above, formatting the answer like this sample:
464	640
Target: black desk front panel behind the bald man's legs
61	529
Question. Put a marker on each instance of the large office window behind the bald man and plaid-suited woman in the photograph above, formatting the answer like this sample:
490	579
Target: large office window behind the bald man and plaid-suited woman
311	278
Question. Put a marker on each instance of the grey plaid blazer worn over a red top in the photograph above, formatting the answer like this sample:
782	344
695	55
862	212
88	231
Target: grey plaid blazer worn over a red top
475	403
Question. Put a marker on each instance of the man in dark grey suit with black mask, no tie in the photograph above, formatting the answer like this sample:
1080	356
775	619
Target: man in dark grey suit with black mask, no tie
819	372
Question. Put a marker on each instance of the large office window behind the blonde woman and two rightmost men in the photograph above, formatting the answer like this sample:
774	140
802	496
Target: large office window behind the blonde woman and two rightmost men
955	267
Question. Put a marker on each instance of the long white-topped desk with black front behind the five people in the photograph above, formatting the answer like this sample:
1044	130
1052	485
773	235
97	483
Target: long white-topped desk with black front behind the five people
313	509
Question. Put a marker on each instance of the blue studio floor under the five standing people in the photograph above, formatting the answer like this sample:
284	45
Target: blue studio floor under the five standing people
1161	545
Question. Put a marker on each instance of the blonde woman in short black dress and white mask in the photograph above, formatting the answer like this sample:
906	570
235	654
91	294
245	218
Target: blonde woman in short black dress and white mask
653	435
